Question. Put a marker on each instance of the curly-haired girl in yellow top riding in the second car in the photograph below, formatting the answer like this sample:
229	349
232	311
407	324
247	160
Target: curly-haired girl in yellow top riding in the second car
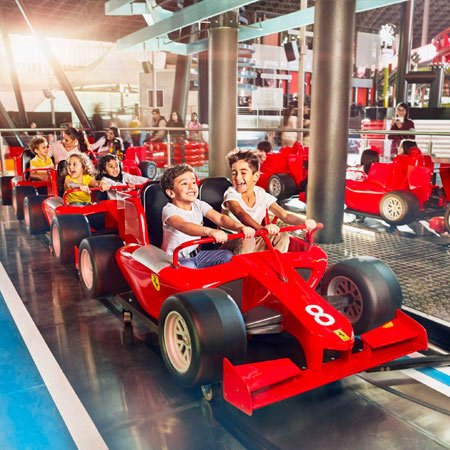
80	171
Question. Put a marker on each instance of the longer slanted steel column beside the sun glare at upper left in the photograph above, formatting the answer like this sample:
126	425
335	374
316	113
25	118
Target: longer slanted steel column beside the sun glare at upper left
59	73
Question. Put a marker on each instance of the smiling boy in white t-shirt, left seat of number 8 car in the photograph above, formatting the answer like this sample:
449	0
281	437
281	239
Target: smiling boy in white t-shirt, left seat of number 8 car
183	220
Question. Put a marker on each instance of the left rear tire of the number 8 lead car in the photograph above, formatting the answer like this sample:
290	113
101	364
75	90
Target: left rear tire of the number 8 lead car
99	272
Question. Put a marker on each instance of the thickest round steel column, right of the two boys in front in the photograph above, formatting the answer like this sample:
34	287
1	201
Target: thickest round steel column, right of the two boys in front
332	72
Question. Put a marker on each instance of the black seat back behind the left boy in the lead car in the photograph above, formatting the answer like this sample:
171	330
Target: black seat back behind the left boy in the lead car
153	200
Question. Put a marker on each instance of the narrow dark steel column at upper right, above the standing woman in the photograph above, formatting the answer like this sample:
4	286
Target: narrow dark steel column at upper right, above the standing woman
404	52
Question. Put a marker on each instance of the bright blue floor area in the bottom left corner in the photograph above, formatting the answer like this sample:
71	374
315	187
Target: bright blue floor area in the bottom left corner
29	419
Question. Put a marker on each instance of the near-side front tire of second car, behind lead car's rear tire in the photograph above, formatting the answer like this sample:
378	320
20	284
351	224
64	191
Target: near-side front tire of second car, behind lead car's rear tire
67	231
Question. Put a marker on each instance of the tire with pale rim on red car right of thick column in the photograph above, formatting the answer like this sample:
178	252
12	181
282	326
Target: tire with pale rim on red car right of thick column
399	207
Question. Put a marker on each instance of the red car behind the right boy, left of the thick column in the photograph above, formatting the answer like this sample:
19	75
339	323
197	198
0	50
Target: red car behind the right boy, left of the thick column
284	173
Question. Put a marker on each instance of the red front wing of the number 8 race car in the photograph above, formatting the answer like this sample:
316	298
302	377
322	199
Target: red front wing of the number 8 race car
255	385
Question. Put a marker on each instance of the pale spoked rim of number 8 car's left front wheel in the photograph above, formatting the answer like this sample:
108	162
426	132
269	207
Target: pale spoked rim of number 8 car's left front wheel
178	342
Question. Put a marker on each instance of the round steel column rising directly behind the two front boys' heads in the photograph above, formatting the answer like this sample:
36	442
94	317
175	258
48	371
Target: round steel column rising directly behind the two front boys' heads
222	90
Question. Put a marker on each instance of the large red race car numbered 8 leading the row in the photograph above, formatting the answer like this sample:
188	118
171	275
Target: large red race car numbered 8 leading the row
205	316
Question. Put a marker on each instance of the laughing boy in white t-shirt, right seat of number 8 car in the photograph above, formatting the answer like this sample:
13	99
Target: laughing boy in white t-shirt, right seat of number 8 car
248	203
